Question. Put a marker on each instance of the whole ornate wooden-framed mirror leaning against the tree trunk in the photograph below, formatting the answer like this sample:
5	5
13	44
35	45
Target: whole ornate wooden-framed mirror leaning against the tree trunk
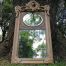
32	36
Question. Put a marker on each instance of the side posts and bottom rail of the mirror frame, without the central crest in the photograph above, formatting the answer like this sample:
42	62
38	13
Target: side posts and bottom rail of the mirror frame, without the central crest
49	58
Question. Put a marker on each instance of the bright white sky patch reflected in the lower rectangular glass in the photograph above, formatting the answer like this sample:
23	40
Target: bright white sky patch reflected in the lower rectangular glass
37	43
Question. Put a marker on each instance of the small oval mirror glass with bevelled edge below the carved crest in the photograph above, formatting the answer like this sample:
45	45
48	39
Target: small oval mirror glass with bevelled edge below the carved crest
32	19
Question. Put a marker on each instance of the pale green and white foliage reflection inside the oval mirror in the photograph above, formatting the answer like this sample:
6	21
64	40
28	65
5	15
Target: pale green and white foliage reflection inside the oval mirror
34	19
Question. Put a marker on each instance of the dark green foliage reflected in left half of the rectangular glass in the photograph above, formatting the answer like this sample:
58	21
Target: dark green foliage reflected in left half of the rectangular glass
25	48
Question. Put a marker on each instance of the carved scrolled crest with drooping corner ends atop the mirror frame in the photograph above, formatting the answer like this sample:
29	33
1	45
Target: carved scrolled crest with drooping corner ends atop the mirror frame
31	6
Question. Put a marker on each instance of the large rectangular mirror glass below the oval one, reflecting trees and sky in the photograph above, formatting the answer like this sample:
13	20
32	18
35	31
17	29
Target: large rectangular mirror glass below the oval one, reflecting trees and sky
32	44
